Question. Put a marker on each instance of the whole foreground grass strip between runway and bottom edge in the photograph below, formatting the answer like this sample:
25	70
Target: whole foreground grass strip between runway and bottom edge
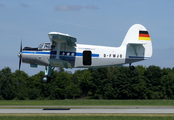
84	117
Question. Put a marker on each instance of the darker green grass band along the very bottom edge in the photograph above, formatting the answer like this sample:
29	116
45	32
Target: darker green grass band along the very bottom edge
83	118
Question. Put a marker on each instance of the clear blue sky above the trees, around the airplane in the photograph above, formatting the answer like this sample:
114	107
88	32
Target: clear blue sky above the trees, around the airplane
91	22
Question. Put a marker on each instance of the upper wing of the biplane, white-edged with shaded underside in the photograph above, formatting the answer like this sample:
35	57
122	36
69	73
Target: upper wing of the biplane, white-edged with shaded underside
56	36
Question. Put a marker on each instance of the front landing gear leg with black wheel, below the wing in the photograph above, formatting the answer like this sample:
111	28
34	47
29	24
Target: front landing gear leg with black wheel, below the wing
46	78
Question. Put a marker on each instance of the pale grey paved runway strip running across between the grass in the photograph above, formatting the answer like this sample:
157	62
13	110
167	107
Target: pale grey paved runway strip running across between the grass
156	111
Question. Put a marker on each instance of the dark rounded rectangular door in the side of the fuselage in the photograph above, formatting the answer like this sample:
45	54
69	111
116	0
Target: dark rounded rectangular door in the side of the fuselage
87	57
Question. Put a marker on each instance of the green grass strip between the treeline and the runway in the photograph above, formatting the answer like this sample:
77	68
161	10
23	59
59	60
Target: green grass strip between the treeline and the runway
88	102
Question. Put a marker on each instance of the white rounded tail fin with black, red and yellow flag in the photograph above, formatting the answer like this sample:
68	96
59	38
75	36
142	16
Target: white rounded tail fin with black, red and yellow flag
137	43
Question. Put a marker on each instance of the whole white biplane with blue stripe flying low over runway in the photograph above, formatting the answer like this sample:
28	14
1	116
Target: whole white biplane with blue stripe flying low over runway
64	52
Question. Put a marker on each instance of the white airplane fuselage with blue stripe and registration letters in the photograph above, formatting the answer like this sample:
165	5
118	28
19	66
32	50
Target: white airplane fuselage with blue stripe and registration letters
81	56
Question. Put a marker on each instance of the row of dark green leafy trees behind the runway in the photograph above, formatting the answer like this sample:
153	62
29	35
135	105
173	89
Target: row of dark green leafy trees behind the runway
103	83
